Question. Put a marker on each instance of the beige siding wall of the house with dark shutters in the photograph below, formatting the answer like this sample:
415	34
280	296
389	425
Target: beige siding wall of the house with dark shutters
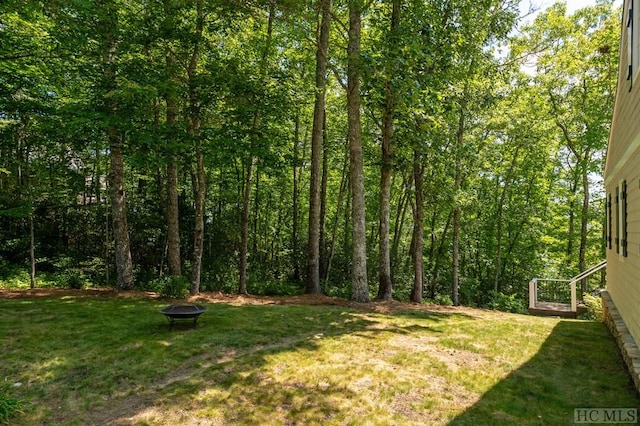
623	166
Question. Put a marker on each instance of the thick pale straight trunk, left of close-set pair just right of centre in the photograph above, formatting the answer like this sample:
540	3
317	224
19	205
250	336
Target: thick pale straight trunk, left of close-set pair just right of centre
359	288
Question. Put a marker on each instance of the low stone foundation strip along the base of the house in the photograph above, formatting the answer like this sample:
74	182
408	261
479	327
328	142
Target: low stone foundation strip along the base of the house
620	332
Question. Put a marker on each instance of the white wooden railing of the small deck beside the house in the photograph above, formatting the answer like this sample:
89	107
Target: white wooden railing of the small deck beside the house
559	291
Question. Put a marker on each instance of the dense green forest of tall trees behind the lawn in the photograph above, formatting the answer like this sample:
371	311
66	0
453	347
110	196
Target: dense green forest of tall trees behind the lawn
430	149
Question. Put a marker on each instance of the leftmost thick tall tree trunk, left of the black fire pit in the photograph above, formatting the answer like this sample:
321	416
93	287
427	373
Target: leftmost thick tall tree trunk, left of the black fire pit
124	264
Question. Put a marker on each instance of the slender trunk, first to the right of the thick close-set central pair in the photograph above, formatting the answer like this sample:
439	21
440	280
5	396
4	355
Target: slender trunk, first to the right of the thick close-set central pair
418	229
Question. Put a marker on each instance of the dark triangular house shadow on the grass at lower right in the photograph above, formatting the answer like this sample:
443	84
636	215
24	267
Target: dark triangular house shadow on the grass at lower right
578	366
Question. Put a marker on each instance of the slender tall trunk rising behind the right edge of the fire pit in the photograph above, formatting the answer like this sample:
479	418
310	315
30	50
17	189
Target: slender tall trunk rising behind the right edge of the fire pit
200	177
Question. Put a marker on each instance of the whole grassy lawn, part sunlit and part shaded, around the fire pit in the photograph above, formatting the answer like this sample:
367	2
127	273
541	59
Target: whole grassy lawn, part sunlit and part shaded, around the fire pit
105	360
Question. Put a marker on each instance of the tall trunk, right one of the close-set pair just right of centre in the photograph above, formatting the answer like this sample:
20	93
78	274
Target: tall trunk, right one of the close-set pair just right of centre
385	289
